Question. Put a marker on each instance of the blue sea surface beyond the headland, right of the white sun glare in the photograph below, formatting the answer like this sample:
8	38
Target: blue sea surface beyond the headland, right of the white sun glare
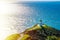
48	12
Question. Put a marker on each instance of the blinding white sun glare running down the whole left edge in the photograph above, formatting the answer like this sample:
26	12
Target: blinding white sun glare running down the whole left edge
6	8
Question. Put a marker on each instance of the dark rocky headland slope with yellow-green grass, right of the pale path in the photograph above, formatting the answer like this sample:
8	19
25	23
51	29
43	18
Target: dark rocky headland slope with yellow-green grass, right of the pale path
41	33
